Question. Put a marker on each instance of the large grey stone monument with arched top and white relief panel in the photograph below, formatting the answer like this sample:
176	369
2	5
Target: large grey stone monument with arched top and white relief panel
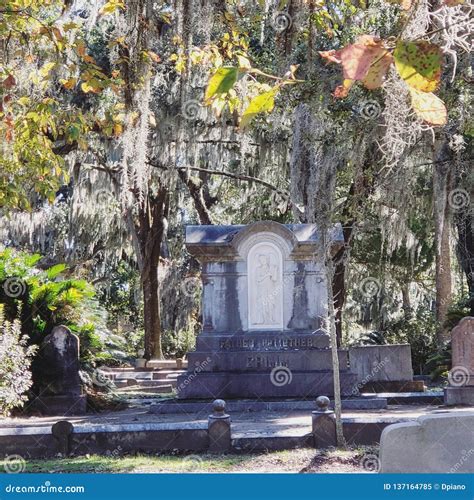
264	305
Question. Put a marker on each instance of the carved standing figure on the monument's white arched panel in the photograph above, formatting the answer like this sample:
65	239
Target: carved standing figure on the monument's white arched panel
266	282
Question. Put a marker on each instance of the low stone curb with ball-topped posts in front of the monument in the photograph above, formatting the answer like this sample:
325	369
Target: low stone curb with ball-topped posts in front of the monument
214	436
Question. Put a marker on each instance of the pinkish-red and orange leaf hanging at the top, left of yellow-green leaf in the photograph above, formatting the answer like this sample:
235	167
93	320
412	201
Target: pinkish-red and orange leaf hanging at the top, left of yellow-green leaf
365	60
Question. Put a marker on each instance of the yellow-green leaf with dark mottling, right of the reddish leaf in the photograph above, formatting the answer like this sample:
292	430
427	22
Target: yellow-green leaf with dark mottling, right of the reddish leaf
419	64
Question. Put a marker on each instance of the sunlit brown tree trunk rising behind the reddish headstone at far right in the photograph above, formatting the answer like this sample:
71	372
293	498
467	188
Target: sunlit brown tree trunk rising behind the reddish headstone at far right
442	186
